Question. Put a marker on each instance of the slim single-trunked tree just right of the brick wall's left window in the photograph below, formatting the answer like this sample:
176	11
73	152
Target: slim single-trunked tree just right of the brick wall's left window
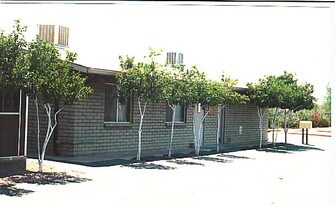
144	80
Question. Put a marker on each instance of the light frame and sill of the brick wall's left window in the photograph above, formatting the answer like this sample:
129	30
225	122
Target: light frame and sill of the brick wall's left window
111	122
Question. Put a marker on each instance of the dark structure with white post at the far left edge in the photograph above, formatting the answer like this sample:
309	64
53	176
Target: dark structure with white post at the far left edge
13	132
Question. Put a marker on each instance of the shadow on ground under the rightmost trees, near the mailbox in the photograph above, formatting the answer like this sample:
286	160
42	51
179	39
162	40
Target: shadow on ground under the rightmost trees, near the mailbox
289	149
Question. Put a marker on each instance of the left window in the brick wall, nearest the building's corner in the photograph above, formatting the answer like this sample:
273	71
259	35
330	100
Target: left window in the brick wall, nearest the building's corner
115	110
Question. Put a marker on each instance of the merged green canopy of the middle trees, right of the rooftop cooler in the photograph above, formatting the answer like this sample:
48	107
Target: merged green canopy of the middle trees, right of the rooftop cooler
190	86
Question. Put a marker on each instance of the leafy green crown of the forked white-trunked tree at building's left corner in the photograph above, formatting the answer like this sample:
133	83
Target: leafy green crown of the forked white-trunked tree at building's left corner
49	77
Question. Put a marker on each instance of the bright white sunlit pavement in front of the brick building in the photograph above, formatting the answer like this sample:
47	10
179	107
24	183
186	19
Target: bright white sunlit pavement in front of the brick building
297	175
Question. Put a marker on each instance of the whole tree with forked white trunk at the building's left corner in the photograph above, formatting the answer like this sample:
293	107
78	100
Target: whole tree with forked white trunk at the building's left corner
47	79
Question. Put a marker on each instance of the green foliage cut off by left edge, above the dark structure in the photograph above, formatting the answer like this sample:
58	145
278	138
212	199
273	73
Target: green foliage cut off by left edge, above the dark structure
12	58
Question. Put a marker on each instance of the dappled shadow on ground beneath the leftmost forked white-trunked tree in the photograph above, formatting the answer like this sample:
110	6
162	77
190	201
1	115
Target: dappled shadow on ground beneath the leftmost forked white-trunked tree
7	184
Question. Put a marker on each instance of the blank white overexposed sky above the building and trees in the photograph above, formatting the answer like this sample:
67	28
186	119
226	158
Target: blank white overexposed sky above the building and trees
244	40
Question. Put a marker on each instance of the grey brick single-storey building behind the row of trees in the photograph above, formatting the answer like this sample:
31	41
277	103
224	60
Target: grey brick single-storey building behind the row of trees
101	125
